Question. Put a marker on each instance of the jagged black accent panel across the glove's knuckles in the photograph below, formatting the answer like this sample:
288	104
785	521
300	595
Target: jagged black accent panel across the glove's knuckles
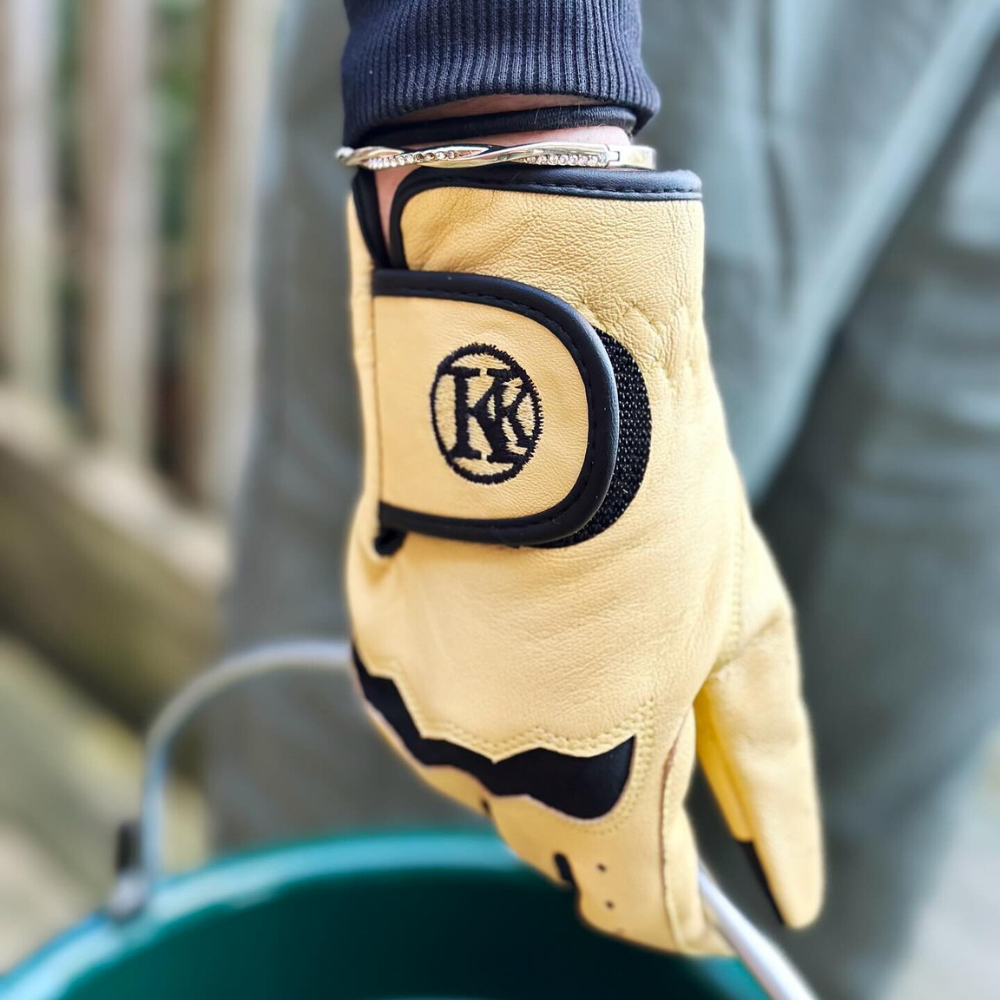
581	787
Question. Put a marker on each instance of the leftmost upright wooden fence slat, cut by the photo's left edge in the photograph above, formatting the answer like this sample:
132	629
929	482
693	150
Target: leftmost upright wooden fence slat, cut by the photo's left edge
27	335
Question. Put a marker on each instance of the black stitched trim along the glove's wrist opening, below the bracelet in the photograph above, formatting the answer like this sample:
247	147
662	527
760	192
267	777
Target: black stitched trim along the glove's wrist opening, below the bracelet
626	185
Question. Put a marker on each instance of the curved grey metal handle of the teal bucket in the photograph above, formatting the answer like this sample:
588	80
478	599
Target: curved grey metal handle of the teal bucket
136	879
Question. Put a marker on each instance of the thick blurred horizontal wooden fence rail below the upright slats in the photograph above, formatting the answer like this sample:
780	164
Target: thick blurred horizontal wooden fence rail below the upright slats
100	568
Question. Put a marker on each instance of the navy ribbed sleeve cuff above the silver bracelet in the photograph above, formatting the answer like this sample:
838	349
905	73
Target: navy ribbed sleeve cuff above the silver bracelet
406	55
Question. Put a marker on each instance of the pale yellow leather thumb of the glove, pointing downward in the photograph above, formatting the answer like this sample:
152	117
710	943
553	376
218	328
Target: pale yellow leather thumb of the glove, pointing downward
756	750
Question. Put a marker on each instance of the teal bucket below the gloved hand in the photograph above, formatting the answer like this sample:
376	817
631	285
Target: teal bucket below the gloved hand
442	915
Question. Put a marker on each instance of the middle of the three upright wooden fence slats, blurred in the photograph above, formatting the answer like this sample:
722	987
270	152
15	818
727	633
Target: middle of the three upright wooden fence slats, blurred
118	246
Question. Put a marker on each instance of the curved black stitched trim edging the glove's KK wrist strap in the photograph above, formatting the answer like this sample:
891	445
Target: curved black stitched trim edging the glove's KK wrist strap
573	512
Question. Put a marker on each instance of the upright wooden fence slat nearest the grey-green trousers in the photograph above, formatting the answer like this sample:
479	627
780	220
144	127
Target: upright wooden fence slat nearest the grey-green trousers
220	357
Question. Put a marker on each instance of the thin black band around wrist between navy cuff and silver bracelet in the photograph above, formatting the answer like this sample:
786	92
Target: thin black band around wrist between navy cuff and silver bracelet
464	127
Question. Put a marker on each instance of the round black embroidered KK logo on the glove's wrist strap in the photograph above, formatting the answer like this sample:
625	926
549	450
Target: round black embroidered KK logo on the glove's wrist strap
486	412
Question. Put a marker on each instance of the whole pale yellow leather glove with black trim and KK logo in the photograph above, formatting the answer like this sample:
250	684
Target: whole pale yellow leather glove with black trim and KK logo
557	590
